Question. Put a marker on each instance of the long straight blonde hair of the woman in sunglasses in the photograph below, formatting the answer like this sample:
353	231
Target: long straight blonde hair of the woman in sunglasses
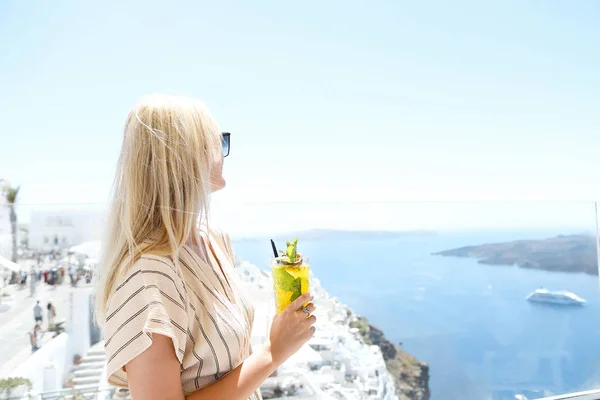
161	188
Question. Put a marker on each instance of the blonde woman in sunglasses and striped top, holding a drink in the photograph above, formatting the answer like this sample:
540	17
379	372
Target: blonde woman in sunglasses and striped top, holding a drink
177	324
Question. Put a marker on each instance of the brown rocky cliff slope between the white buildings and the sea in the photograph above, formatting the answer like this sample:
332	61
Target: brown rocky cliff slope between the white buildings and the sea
411	376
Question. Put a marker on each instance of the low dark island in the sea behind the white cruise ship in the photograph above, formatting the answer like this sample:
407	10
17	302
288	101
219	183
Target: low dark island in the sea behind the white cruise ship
564	253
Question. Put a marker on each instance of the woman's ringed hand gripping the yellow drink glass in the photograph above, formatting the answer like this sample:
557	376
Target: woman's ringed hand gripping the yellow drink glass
291	329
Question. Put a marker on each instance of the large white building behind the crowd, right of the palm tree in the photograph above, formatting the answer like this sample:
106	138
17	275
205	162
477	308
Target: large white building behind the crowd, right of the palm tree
61	229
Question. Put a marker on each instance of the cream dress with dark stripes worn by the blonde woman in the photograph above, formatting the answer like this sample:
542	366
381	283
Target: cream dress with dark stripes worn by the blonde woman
201	307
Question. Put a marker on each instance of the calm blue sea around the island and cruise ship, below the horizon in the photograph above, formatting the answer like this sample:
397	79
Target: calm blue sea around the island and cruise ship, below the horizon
469	322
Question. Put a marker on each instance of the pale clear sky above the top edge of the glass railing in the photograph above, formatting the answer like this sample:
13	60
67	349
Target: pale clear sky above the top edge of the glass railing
355	101
